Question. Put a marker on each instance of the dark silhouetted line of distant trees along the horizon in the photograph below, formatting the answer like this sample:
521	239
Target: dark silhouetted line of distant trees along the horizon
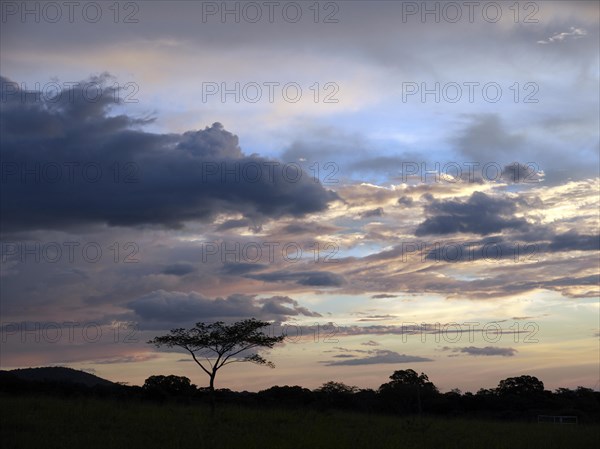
406	393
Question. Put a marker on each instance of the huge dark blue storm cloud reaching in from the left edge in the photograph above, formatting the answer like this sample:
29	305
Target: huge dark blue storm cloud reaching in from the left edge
69	162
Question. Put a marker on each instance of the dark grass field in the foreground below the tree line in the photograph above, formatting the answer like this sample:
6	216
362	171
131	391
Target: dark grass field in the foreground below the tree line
49	422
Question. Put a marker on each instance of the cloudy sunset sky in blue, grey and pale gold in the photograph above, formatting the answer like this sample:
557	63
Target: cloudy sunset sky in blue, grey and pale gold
391	185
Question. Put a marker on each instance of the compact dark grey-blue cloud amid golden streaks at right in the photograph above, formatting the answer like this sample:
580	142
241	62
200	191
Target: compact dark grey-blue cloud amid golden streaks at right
480	214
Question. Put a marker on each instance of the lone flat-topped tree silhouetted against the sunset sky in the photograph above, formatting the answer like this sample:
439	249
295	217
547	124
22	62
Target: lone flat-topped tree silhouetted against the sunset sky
212	346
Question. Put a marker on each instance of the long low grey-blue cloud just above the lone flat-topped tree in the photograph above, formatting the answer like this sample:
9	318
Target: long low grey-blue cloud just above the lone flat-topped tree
170	308
